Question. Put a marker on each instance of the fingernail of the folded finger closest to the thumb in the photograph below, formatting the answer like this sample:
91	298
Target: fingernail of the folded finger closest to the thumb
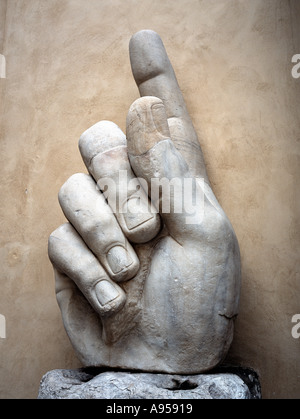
135	213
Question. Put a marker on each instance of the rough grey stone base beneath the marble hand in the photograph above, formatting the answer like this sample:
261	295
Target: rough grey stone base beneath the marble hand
89	383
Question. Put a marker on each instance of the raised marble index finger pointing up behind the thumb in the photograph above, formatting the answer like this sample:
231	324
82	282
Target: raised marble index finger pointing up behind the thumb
154	76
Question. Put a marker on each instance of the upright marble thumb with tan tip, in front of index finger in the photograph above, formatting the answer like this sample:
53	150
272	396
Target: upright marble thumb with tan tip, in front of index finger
174	192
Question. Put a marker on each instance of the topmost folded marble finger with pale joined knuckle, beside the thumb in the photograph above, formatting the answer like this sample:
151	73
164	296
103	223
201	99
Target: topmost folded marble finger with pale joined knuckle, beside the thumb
104	151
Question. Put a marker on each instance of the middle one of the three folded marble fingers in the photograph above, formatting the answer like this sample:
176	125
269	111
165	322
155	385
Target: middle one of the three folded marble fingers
86	209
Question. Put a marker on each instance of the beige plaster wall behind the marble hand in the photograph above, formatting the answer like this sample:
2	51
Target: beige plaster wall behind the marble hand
68	67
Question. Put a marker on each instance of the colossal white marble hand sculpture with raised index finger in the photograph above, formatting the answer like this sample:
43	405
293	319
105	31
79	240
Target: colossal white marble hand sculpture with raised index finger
142	283
